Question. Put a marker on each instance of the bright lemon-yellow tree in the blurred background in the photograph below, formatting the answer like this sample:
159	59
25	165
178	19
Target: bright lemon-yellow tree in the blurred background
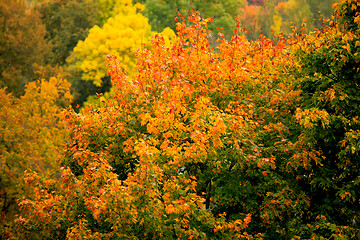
121	35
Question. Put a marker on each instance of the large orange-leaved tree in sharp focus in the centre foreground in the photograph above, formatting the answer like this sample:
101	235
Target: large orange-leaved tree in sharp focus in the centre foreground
167	147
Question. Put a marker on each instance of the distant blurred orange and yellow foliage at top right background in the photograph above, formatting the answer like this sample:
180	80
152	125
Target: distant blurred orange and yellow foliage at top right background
266	17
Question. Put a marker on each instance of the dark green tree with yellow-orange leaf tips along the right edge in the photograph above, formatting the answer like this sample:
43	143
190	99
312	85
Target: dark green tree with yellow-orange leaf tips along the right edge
330	89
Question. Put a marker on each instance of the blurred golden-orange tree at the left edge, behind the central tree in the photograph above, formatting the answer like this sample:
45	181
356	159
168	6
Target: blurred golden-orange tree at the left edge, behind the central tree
31	137
